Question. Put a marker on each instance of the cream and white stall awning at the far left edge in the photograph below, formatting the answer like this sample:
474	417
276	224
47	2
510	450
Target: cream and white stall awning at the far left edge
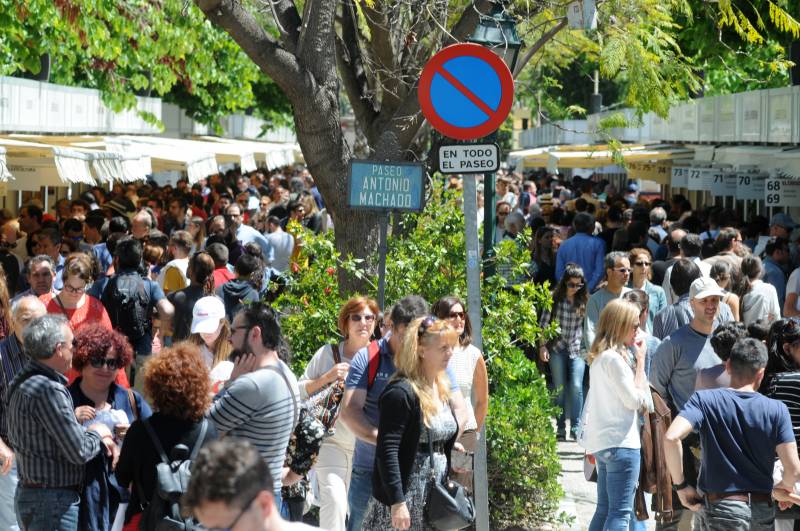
34	165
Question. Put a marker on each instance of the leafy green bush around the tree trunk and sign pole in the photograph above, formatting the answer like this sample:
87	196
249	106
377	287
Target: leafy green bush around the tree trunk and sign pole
429	260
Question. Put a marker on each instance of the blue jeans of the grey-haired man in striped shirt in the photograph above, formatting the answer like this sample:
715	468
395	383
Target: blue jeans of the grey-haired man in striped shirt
47	509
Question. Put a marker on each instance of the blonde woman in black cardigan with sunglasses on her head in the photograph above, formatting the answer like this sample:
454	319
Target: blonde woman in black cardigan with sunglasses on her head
414	409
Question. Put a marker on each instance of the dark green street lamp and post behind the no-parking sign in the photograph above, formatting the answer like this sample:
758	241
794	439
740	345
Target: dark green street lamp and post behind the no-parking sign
497	31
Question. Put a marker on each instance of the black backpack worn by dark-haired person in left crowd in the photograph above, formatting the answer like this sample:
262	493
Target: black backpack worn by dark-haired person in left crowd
127	301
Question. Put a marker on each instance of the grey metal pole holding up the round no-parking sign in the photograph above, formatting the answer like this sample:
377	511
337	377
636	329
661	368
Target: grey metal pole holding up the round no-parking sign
480	480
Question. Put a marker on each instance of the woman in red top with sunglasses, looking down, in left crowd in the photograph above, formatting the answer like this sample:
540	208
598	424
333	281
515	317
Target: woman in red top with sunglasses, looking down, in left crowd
80	308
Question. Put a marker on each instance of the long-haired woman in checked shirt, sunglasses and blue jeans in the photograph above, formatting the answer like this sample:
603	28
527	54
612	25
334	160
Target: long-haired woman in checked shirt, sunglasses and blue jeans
563	353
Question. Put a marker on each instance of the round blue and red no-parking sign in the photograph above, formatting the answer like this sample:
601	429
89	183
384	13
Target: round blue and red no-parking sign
465	91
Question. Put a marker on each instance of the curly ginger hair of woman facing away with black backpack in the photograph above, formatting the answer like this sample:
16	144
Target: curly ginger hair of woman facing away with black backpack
178	383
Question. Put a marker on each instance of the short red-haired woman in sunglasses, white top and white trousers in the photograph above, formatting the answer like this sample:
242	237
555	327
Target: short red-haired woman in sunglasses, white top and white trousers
329	366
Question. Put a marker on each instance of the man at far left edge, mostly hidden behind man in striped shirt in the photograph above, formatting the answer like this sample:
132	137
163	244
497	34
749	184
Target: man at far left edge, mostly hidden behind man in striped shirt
12	360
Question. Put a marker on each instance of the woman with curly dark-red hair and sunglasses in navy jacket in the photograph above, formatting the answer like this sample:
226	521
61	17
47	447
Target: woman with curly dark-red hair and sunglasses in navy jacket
99	354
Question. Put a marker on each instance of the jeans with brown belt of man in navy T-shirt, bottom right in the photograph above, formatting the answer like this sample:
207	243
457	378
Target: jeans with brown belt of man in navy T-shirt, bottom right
728	515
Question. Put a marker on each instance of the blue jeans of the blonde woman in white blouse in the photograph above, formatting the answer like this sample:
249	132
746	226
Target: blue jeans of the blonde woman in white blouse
617	475
